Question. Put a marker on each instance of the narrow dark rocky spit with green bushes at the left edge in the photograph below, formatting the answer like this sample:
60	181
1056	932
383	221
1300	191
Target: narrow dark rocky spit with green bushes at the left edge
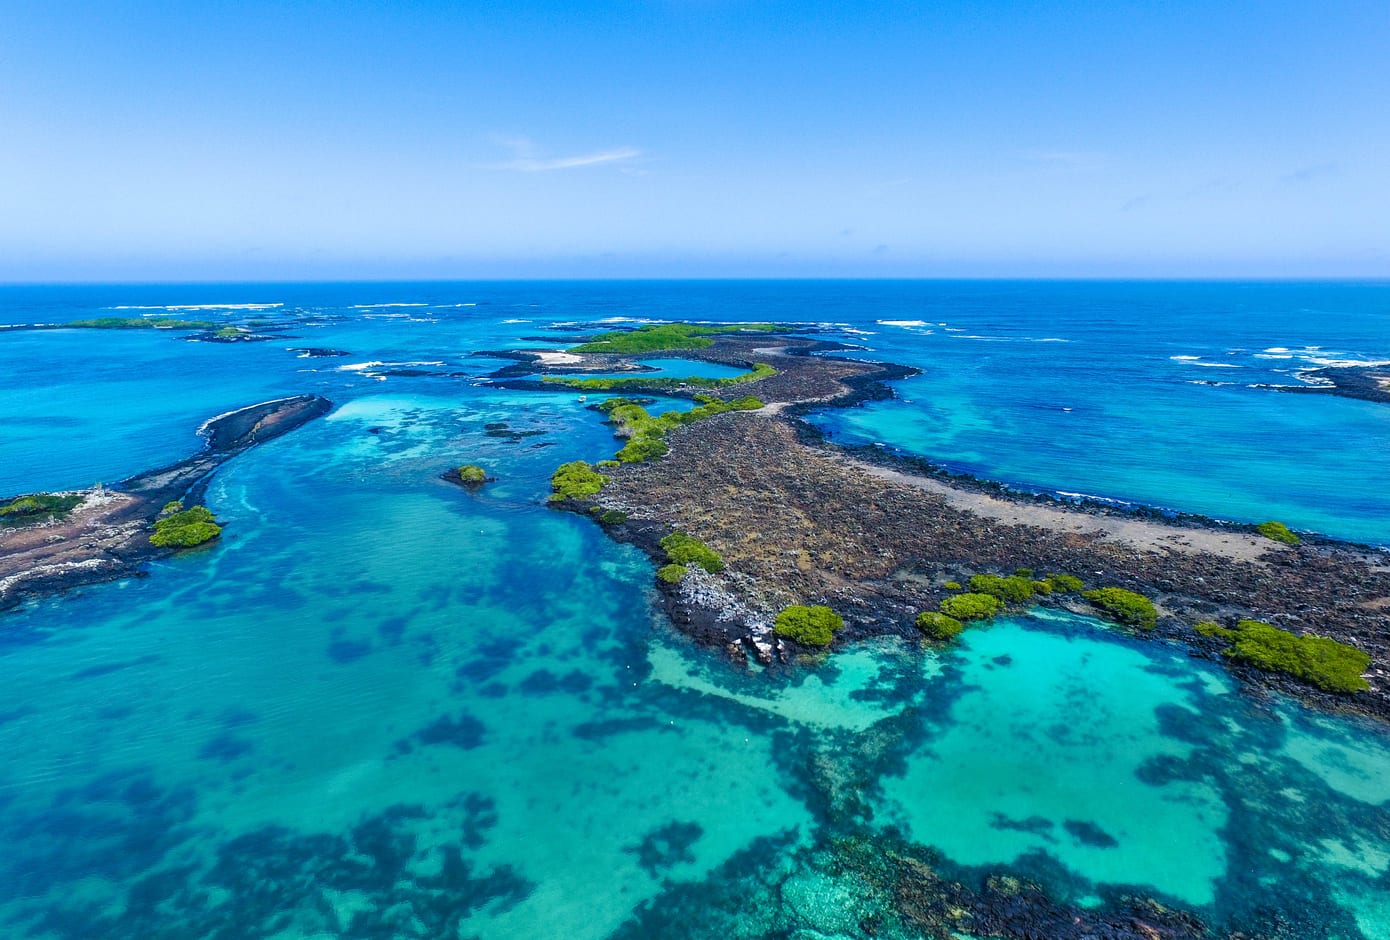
51	543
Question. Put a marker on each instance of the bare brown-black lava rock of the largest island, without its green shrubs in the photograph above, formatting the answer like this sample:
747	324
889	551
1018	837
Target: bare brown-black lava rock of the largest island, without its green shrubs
878	536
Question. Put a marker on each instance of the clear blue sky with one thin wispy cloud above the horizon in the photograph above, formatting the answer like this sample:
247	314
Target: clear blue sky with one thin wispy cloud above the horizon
693	138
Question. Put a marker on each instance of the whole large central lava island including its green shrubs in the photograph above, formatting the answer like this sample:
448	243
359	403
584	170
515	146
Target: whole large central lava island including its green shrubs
758	525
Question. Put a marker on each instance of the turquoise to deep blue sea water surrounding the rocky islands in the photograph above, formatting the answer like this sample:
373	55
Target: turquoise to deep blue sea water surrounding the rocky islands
387	707
